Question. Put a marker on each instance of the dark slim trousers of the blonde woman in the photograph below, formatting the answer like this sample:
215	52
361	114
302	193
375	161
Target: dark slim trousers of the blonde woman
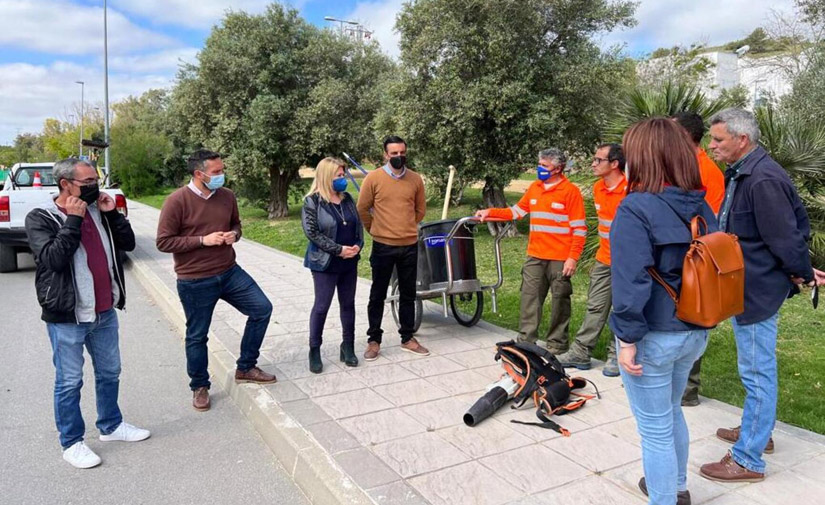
325	285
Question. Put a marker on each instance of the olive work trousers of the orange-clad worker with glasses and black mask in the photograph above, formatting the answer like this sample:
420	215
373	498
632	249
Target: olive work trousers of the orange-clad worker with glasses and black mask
599	302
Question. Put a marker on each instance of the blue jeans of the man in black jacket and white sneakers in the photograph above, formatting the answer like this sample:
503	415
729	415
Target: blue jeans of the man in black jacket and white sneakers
101	341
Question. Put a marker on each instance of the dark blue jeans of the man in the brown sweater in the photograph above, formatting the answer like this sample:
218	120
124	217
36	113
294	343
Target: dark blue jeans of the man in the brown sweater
199	297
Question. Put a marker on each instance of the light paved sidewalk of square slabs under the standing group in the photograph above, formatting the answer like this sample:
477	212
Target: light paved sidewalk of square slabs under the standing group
393	427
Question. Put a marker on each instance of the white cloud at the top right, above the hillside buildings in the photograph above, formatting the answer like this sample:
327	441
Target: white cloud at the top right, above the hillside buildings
664	23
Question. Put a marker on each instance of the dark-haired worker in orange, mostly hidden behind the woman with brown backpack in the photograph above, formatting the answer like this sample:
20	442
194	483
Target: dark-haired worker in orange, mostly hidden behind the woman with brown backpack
714	181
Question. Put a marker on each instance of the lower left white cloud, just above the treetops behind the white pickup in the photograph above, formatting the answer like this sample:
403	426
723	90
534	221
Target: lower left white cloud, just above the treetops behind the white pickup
31	93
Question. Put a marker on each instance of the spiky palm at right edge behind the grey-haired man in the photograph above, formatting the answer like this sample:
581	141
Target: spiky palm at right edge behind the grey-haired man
798	145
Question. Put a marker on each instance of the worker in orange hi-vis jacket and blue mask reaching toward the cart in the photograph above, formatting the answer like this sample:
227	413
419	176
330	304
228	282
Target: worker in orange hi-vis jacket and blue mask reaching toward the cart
557	234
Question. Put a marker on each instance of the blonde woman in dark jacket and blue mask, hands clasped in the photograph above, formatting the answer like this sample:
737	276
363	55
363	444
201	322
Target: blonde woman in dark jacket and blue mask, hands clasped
331	223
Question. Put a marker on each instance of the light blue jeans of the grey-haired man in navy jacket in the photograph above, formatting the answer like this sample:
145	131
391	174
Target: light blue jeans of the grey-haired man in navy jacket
756	356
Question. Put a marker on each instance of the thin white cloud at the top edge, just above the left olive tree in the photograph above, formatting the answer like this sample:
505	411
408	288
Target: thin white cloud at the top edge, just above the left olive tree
200	14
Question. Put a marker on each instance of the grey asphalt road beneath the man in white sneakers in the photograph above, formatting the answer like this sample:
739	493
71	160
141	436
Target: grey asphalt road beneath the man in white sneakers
192	458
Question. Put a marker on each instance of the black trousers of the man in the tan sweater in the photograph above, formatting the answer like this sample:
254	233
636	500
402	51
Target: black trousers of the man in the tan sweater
385	258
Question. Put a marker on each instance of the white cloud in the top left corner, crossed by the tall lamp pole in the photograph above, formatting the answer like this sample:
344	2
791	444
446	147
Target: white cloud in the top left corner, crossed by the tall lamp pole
61	27
